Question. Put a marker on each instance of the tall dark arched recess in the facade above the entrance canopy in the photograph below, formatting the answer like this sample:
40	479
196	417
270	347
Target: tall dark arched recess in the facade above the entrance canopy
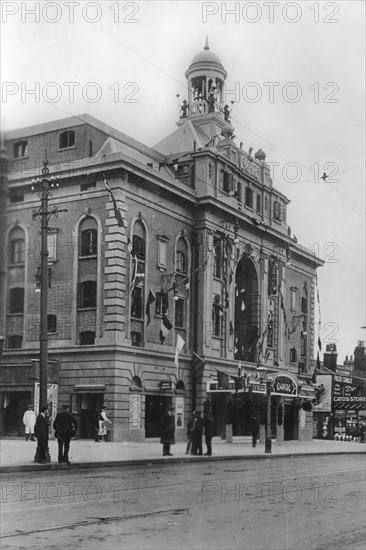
247	310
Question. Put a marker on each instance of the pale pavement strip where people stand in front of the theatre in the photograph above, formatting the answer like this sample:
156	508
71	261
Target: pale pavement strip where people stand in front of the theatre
17	455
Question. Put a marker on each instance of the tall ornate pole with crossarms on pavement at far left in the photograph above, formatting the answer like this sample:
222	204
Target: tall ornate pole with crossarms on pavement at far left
45	184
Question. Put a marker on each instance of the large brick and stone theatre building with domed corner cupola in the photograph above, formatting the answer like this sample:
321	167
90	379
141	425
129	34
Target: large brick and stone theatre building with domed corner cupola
169	266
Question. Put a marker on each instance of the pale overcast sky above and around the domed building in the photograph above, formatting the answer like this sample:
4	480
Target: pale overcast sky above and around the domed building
296	77
